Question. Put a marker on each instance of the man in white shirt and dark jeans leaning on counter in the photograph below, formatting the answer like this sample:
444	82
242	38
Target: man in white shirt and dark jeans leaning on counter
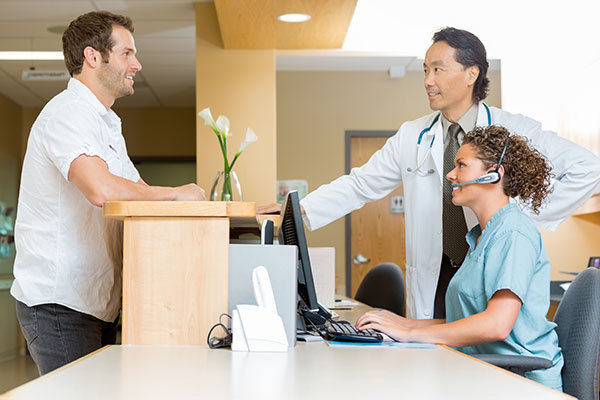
68	260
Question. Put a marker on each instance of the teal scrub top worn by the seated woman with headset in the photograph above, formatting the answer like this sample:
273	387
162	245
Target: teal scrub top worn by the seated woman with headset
510	255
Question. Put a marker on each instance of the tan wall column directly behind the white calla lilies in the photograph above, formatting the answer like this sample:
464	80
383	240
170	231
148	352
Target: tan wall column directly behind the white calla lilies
241	85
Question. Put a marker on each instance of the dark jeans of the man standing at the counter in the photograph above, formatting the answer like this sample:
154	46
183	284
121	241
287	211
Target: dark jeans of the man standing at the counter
57	335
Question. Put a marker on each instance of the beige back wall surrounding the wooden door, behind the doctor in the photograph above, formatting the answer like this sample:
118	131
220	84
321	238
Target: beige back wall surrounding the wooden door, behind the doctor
314	109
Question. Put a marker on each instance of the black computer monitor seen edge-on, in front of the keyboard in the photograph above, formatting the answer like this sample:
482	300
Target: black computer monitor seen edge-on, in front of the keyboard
291	232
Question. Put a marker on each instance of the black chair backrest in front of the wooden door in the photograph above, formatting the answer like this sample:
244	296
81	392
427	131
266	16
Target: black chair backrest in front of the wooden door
383	287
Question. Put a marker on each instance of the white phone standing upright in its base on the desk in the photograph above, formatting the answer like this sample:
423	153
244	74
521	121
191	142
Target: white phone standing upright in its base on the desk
259	328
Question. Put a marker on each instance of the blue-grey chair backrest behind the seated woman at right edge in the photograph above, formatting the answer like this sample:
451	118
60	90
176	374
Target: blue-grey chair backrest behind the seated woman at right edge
578	320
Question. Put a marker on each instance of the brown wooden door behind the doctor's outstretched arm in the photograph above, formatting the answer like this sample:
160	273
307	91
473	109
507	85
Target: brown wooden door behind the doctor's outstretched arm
375	232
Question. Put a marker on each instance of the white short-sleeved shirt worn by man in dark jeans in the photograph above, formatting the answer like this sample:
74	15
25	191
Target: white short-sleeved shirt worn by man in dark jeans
66	251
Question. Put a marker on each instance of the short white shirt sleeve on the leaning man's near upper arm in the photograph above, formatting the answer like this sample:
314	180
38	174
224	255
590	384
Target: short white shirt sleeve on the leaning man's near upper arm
69	135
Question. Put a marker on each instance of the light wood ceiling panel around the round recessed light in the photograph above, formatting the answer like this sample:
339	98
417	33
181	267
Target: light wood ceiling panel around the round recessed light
253	24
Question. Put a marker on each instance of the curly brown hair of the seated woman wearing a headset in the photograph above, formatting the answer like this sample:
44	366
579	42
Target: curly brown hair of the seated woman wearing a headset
526	172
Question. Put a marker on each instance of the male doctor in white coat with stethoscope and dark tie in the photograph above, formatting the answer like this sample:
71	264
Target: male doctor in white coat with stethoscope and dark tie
422	152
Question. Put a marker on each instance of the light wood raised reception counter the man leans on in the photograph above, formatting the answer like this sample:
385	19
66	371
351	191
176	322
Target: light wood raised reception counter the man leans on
175	267
